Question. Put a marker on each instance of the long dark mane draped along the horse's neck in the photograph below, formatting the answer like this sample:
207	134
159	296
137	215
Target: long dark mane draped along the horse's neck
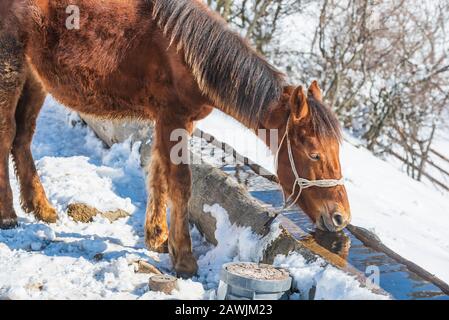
228	71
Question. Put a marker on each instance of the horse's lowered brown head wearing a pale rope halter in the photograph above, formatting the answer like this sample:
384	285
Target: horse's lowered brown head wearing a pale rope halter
308	164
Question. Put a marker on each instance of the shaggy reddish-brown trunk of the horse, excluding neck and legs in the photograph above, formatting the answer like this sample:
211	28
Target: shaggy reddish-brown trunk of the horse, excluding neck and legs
115	63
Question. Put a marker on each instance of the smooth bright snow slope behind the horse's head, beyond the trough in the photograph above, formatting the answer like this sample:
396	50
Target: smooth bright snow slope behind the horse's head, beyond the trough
408	216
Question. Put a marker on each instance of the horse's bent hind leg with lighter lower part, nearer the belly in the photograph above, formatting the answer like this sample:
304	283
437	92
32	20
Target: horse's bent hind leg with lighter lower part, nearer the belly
33	195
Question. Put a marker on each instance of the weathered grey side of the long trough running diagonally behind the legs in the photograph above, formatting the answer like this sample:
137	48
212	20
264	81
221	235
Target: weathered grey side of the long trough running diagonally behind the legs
213	186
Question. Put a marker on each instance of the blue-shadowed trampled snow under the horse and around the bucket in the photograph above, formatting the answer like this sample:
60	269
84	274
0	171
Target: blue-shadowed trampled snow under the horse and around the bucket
70	260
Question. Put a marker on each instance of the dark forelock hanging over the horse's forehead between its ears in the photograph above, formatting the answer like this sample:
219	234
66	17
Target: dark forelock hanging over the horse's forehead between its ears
324	122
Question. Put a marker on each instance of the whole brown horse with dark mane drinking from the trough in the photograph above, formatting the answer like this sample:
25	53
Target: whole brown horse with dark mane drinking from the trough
171	61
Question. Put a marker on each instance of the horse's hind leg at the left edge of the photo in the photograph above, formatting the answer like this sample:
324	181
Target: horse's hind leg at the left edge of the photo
12	77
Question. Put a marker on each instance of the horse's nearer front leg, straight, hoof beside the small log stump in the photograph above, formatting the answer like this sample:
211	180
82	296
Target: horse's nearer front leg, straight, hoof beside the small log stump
173	157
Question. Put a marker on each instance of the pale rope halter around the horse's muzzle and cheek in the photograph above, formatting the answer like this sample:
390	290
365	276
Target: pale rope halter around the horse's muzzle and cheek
300	183
